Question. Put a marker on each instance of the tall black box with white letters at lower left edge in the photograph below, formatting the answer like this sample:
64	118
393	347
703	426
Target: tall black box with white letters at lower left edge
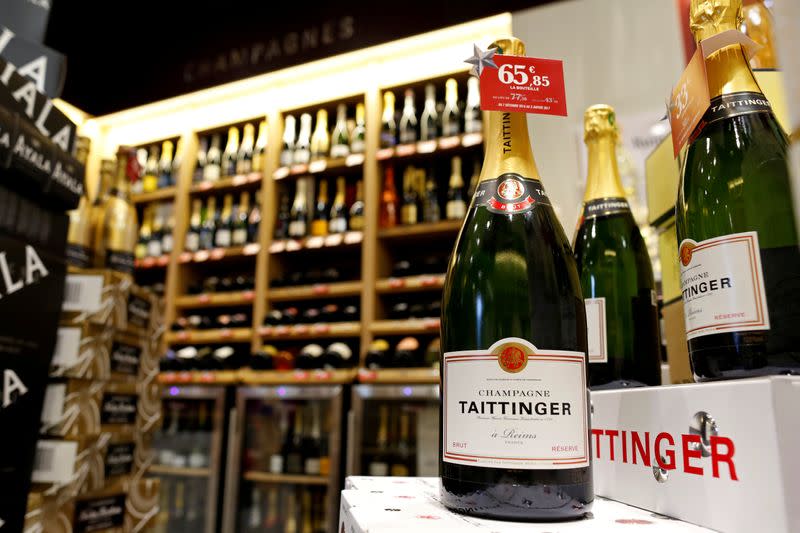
32	287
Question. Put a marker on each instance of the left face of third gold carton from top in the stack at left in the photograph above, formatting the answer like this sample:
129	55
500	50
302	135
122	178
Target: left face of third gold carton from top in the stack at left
72	408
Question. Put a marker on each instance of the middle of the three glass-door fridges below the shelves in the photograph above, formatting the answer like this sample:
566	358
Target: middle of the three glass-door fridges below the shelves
283	461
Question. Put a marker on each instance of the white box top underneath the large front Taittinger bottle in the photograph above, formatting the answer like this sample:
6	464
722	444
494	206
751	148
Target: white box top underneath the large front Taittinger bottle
382	504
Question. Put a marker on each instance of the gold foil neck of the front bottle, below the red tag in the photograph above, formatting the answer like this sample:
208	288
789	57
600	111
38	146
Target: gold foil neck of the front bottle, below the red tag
509	147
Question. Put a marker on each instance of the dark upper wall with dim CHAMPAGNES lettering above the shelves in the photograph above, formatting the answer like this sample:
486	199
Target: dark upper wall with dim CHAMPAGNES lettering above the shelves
122	54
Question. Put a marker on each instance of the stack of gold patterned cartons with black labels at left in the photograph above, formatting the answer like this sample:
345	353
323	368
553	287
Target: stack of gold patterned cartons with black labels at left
102	406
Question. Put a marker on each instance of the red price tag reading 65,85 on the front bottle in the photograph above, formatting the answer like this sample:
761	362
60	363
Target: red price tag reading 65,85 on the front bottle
524	85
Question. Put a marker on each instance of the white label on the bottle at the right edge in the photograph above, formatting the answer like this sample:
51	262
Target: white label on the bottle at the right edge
723	285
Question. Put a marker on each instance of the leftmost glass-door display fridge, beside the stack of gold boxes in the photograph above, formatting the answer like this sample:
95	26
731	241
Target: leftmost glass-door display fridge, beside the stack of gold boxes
188	458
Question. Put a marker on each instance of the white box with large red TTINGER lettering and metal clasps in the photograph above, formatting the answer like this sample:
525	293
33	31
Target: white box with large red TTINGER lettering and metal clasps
731	452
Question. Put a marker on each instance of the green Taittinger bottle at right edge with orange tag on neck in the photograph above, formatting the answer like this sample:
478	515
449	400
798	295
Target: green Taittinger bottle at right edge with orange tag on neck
739	255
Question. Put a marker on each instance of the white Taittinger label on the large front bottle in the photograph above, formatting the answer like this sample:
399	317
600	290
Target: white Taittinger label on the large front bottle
515	406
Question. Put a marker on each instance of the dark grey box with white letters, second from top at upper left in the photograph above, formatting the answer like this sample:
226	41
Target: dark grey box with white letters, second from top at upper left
30	56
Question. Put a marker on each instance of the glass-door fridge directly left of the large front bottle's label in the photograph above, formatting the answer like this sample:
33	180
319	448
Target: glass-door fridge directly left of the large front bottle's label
394	431
